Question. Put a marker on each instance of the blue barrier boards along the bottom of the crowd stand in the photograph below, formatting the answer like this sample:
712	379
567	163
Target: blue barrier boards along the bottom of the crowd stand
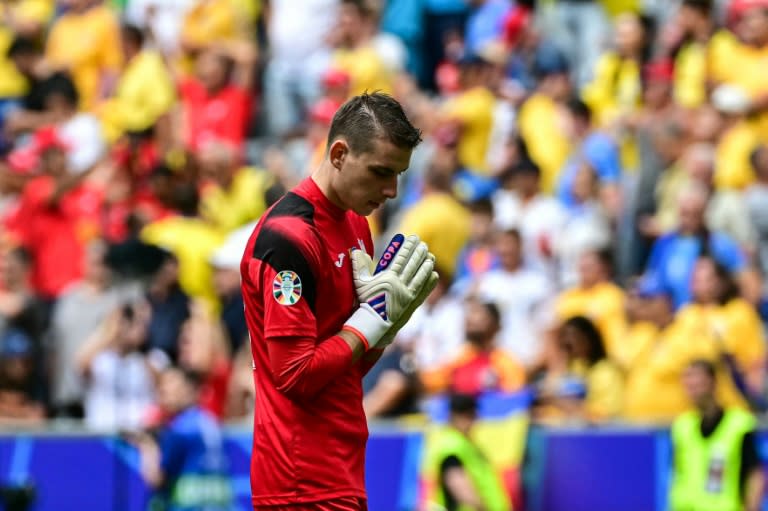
605	469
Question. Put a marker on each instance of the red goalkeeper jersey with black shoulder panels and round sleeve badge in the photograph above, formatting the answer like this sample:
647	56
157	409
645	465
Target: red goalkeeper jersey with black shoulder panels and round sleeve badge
309	430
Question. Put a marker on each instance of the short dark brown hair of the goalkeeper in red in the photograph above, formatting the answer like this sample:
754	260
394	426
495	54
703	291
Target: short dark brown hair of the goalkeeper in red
364	118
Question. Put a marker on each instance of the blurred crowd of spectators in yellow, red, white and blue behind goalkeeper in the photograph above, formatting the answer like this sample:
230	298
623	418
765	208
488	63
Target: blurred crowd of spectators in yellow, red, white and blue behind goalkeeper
593	183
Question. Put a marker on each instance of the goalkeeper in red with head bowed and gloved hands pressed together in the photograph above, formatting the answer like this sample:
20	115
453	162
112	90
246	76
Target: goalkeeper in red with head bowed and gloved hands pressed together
320	311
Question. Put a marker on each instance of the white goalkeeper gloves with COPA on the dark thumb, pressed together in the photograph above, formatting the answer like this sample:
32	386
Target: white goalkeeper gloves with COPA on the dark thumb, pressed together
390	293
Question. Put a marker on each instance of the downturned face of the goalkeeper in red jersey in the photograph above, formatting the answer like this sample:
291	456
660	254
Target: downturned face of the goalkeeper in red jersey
365	180
